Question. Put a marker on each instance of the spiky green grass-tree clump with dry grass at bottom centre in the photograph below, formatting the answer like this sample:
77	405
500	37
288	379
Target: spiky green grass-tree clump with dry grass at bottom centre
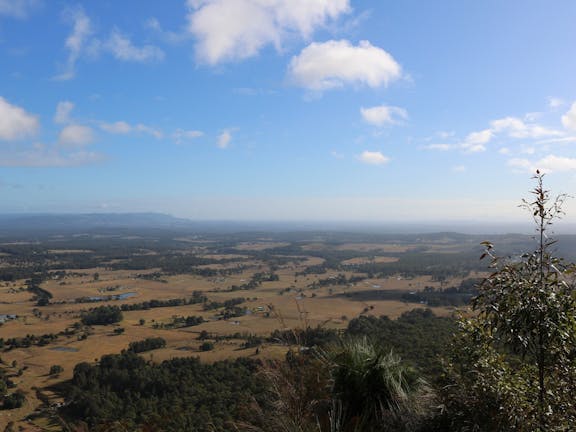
351	385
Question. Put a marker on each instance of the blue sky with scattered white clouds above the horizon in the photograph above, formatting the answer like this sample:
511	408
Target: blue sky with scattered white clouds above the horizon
280	110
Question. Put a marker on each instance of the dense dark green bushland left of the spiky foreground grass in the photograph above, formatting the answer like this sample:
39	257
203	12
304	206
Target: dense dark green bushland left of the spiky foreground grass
176	395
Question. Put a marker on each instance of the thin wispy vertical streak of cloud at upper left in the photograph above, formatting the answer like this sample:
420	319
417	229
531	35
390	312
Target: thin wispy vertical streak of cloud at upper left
76	41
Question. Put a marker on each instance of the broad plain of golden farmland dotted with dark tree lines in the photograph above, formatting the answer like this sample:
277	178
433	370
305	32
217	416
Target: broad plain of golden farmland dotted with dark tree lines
209	295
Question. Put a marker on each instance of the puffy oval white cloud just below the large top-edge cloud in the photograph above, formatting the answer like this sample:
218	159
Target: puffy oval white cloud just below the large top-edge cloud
332	64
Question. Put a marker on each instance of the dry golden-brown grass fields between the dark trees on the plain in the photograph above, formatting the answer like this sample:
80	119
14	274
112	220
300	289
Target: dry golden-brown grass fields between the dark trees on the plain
295	300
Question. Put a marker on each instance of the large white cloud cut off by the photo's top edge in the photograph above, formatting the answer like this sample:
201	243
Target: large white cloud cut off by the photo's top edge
228	30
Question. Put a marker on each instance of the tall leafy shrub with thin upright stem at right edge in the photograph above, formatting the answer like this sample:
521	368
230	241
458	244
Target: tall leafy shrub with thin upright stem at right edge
513	365
